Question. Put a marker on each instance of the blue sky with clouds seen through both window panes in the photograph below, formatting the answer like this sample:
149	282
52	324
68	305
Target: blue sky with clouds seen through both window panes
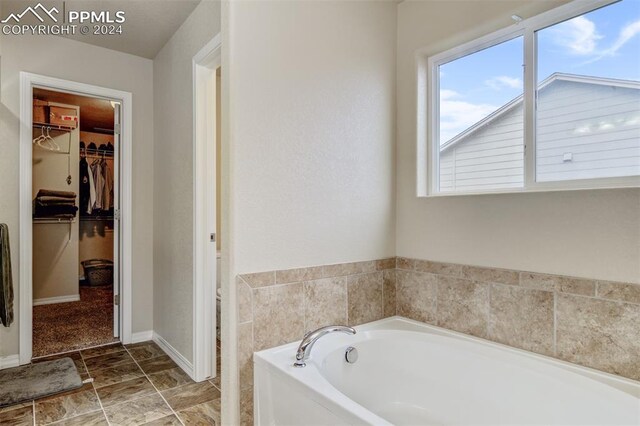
603	43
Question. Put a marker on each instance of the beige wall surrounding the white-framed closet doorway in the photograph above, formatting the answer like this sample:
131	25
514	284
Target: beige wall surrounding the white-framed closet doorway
72	60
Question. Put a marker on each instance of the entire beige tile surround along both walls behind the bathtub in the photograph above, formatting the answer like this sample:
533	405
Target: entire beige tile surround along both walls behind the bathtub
587	322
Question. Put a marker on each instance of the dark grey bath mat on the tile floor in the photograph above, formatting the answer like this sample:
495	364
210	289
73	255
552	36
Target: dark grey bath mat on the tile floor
33	381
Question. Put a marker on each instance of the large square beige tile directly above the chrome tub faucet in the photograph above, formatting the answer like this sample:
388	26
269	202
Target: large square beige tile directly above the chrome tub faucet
325	302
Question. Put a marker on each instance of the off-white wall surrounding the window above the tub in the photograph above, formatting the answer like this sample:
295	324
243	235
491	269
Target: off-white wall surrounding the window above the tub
594	234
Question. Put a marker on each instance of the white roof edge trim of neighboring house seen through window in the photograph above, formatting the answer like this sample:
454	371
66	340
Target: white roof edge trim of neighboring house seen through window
547	82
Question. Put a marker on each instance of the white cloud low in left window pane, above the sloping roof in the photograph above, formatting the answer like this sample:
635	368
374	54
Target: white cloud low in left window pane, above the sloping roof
457	115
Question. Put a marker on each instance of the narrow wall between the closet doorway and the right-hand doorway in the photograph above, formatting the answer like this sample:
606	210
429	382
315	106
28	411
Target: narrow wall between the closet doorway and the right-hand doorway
173	185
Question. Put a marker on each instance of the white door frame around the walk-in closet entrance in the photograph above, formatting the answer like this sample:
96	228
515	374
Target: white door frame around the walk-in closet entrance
27	82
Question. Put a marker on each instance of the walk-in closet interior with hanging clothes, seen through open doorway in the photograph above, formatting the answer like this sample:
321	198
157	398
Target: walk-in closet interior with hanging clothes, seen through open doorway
75	201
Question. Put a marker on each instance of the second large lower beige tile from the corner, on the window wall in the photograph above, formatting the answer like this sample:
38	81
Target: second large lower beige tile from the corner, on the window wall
463	305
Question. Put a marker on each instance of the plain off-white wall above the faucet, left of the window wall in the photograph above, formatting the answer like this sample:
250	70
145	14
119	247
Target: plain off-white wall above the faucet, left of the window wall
312	128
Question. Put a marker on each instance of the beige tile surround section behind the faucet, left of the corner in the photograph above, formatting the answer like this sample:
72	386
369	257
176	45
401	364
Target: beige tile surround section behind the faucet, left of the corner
278	307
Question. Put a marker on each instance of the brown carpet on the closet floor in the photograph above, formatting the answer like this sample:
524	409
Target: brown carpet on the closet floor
63	327
